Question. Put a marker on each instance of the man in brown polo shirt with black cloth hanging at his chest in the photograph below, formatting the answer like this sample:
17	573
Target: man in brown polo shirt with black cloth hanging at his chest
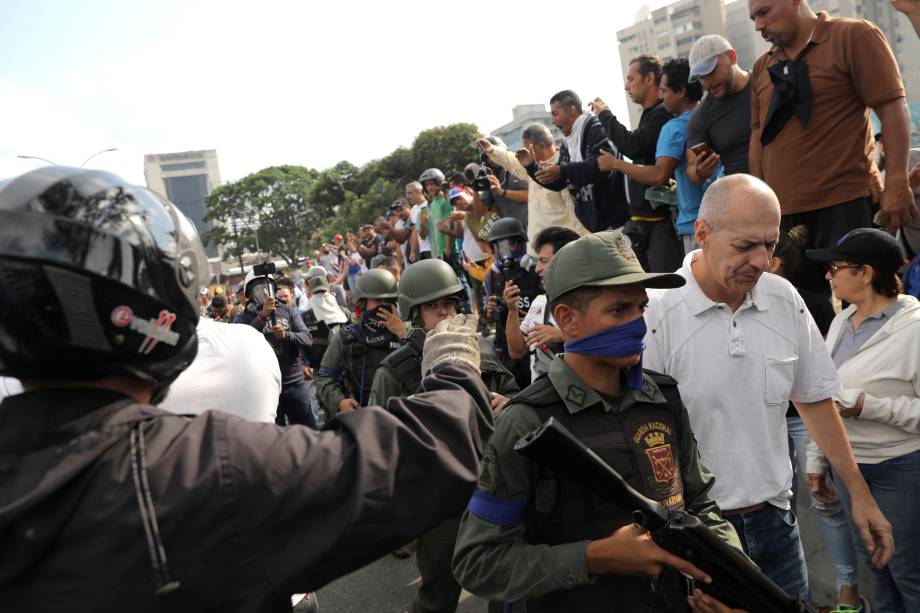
815	147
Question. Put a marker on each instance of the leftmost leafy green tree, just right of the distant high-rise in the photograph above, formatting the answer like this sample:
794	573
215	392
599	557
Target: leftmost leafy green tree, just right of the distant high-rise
269	211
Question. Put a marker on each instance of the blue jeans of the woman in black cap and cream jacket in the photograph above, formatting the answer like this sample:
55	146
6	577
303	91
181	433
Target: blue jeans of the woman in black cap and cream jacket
895	485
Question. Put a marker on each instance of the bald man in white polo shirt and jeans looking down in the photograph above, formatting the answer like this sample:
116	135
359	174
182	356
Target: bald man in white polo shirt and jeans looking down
741	345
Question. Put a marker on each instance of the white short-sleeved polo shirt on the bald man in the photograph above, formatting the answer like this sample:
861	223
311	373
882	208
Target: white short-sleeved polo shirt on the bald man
736	373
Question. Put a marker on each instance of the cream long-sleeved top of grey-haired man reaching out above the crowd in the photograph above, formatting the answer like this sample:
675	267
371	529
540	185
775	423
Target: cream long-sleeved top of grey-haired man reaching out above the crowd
545	207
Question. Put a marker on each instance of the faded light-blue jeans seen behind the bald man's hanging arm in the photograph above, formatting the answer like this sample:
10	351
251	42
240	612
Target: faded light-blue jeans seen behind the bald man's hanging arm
837	533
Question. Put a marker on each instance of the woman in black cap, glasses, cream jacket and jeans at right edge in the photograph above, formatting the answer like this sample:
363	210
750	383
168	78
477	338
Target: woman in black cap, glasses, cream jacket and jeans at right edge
875	343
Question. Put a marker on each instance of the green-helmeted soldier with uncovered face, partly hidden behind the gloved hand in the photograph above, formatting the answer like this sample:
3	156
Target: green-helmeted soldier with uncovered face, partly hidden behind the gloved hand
428	293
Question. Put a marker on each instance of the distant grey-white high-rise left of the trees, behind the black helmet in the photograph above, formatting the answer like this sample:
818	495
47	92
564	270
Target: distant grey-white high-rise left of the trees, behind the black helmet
185	179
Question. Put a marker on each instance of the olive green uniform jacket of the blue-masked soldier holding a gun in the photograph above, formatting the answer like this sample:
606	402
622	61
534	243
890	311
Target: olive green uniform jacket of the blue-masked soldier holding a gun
496	562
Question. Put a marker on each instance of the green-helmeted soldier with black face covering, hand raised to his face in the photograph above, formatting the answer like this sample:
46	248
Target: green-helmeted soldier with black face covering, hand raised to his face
356	351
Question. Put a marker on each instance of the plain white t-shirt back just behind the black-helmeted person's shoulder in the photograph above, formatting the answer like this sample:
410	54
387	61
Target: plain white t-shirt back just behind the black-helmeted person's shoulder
235	371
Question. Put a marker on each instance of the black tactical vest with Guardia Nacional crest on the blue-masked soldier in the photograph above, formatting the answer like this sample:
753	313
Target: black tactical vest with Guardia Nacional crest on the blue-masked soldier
641	443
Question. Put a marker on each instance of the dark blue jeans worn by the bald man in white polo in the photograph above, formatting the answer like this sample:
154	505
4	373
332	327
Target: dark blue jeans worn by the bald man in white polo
770	537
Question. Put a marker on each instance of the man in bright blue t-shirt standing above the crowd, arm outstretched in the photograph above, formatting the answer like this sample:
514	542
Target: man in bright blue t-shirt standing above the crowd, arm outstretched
680	98
